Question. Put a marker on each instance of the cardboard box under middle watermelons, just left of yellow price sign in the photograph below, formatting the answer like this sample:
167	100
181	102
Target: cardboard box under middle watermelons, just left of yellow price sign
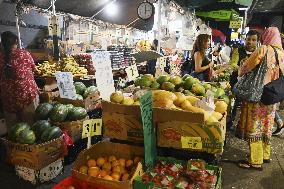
73	128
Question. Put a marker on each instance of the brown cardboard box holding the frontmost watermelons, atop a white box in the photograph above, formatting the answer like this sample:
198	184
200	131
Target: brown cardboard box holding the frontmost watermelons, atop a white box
35	156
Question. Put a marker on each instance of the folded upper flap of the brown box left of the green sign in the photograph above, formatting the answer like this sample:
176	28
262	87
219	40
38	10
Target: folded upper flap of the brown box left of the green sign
119	108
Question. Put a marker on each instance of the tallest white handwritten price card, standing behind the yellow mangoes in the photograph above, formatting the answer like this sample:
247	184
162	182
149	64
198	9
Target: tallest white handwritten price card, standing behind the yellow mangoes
104	76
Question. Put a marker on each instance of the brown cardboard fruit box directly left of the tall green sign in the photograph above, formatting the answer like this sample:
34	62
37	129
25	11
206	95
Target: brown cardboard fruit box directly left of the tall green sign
122	122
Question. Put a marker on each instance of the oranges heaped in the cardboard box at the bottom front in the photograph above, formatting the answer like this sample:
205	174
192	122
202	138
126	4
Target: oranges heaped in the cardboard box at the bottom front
110	168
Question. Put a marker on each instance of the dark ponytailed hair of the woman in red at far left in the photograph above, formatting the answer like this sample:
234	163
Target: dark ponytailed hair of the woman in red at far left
8	41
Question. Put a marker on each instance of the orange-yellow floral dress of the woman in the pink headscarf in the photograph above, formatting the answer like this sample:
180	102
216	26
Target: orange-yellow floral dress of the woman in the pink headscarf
256	119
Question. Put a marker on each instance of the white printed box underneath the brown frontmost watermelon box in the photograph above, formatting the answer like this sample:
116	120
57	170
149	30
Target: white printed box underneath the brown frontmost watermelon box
43	175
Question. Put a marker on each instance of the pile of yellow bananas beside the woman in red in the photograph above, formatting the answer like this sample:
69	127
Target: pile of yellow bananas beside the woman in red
65	65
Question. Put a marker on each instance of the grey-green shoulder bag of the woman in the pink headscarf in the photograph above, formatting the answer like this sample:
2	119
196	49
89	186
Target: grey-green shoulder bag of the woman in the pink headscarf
250	86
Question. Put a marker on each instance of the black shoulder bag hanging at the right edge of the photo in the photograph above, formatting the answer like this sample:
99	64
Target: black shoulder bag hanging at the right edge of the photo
273	92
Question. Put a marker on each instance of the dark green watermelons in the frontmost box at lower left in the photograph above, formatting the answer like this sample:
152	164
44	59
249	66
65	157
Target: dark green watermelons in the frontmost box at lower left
40	131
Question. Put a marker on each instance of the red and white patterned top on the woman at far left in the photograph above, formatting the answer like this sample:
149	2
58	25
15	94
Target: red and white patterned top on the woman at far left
19	92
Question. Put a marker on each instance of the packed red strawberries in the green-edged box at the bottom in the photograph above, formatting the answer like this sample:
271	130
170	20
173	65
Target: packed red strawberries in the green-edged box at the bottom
178	175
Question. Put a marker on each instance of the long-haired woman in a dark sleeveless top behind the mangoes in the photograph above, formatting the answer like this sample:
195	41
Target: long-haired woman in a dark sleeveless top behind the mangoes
202	65
